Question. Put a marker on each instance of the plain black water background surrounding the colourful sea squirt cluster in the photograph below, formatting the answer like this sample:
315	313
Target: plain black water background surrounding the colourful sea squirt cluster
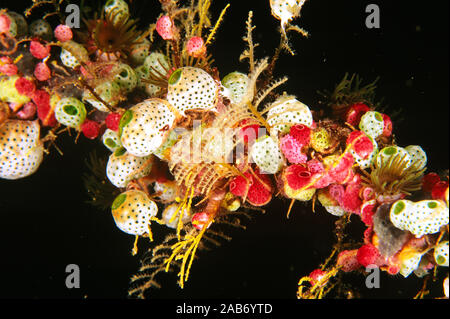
46	224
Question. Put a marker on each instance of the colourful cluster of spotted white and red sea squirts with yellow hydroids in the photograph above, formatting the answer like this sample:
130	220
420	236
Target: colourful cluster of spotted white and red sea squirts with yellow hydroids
192	148
